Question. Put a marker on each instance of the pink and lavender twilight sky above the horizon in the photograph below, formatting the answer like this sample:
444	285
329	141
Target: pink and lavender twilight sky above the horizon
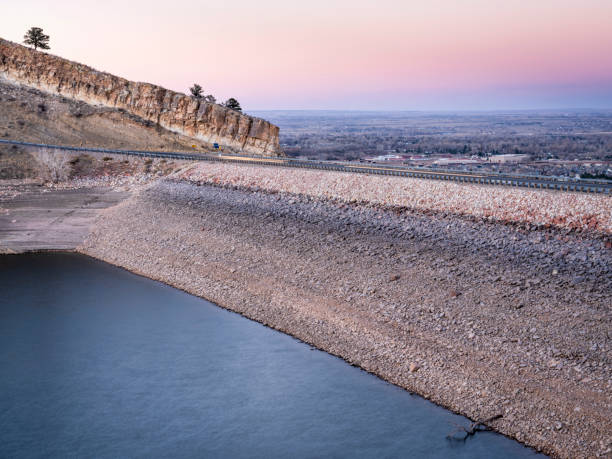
343	54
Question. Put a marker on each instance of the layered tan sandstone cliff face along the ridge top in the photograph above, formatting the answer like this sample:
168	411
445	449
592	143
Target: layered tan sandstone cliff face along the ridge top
171	110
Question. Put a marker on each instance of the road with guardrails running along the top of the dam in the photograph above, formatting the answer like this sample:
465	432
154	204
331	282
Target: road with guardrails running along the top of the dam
526	181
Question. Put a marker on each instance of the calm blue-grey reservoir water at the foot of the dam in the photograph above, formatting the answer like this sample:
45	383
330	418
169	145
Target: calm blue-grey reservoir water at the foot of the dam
98	362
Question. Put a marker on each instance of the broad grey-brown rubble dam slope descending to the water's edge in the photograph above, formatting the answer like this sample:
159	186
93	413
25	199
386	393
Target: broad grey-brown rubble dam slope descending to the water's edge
481	317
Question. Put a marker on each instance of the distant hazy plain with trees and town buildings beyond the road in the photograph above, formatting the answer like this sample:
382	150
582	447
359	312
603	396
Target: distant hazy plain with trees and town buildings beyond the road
570	144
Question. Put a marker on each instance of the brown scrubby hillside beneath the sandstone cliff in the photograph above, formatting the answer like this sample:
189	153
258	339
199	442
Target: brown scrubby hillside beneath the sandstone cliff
31	115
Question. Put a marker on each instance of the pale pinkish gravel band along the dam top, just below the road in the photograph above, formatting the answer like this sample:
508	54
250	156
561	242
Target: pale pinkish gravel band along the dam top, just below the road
562	209
